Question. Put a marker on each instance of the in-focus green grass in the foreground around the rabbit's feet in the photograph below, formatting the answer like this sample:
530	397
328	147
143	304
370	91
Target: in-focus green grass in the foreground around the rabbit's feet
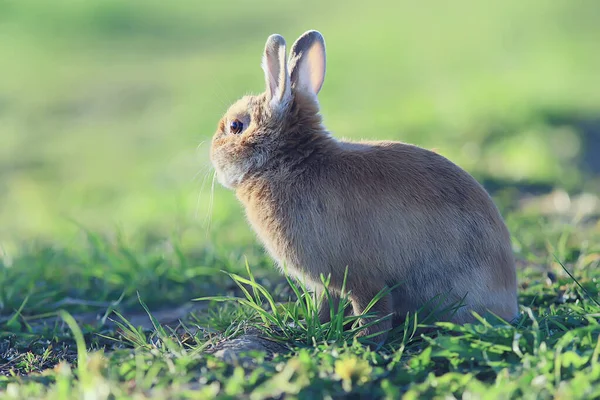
552	351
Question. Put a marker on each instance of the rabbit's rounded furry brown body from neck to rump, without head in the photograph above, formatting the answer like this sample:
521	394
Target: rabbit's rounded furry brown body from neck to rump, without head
392	213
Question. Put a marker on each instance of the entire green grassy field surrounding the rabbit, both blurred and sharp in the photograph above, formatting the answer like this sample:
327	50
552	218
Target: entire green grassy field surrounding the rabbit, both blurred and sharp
108	224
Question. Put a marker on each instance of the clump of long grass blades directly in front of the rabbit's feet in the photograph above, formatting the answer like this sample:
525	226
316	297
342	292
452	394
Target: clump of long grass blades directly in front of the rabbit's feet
297	321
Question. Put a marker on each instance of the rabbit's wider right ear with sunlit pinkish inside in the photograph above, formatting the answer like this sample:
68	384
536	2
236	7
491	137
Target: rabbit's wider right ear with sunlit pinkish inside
307	62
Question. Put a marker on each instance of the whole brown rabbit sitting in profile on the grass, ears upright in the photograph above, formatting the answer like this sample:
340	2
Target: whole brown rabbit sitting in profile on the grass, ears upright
389	212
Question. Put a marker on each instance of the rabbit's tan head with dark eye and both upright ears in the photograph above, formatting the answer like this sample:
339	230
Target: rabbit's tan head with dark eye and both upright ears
257	131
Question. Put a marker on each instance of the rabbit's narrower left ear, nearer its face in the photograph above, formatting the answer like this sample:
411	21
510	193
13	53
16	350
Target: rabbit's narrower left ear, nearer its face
276	74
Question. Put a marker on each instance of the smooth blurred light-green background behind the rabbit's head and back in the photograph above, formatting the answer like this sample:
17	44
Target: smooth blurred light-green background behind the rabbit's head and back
107	107
